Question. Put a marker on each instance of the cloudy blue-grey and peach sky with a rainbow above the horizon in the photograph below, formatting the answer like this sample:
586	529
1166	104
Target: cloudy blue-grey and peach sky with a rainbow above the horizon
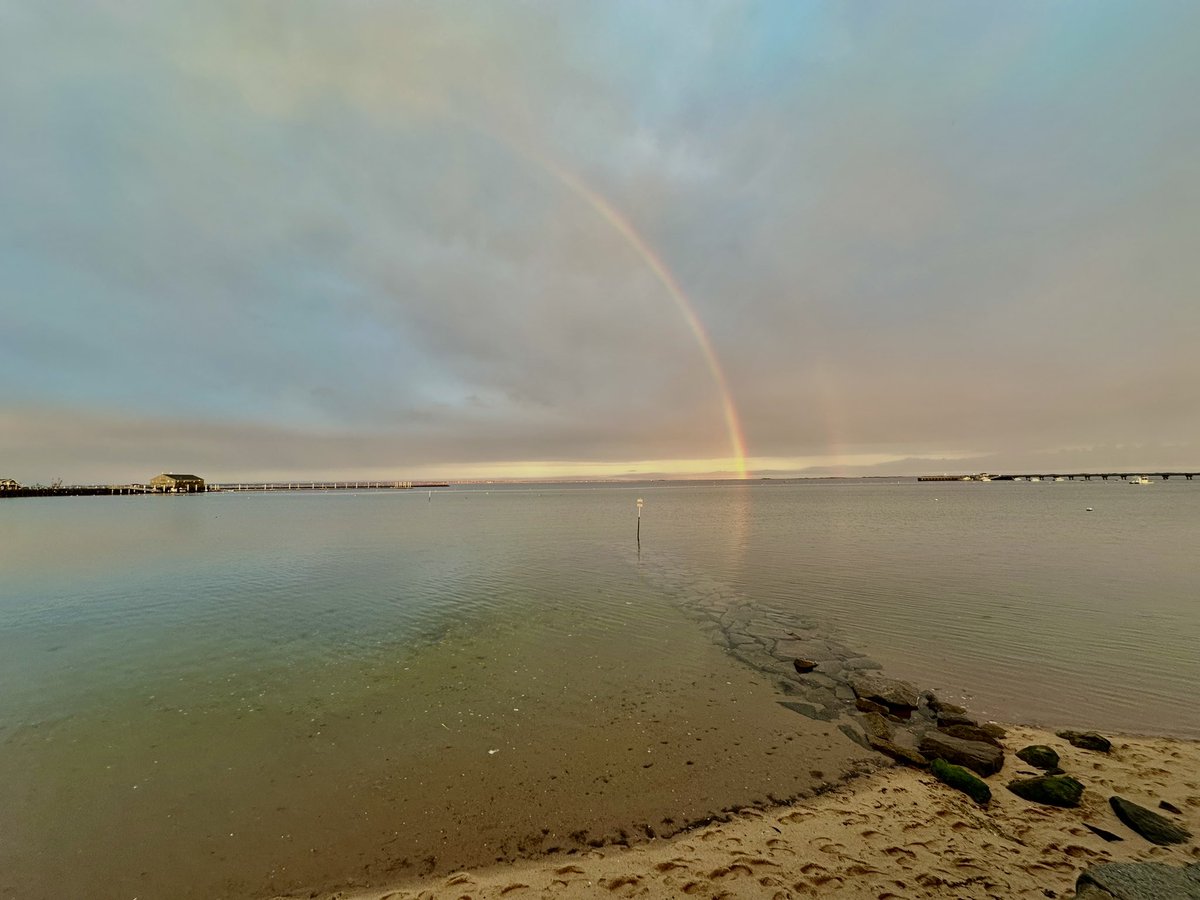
273	239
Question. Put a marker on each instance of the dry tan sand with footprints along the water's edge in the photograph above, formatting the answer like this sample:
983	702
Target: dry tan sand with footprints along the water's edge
897	833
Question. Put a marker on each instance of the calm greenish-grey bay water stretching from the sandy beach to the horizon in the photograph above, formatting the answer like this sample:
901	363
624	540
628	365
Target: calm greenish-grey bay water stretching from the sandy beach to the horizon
194	674
